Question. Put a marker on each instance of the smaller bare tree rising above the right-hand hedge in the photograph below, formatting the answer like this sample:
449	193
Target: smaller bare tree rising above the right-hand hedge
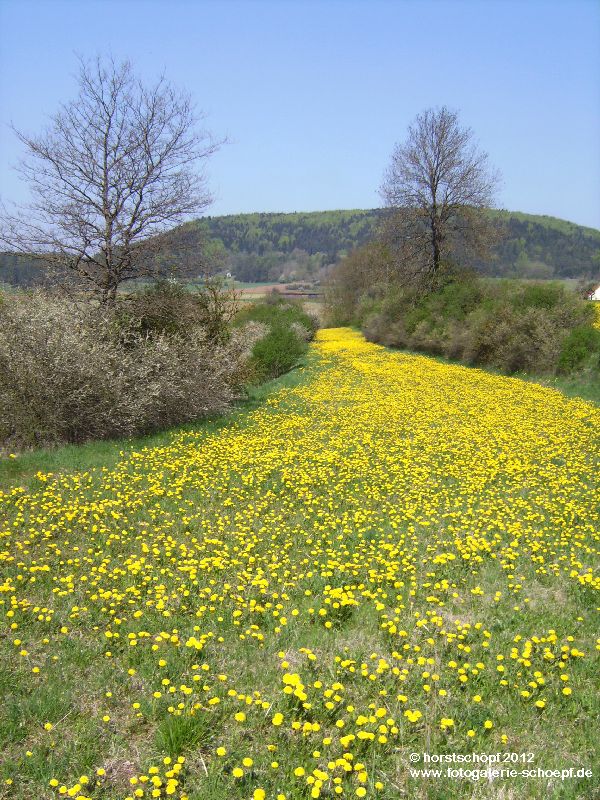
438	184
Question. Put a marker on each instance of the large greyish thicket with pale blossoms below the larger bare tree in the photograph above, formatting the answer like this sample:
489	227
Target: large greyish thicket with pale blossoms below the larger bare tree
70	372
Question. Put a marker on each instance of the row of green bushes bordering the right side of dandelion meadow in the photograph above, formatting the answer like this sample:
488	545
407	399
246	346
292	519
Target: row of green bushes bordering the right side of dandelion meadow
509	325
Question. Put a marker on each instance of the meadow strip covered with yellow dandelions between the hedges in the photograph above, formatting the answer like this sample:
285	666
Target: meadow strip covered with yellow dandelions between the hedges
394	556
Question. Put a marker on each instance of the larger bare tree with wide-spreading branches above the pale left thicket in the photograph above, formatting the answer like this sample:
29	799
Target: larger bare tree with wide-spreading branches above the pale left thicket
112	173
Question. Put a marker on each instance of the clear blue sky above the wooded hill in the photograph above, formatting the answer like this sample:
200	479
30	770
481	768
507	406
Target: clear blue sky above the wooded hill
313	95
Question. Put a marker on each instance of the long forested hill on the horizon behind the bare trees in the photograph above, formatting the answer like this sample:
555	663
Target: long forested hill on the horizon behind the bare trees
272	247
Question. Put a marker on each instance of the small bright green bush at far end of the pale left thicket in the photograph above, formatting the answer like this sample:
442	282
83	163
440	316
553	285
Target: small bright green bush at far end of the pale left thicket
287	331
